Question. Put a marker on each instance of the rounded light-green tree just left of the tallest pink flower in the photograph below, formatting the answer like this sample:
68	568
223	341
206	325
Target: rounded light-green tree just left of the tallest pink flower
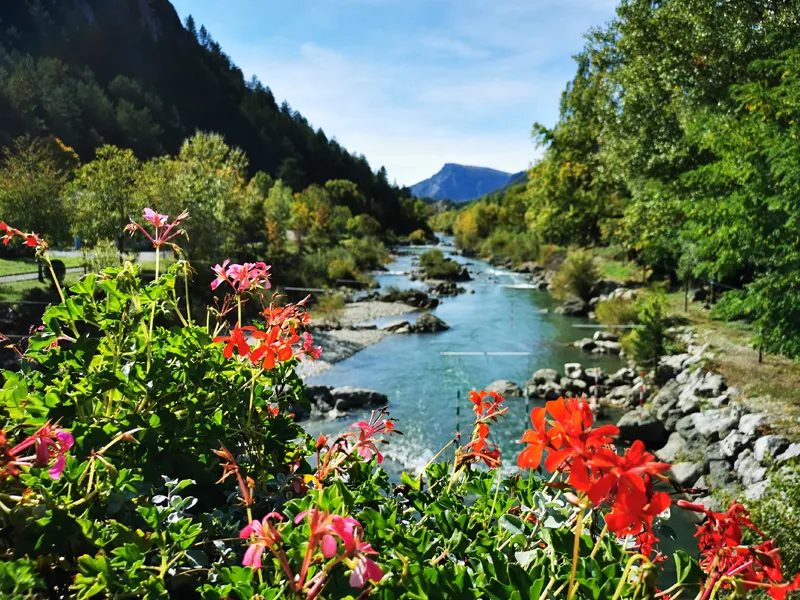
101	195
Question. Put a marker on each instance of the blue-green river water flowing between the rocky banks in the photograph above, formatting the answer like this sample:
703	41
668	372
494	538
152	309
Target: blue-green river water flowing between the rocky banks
423	385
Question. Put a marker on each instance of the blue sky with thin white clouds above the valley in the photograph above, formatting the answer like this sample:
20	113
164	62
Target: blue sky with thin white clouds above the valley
412	84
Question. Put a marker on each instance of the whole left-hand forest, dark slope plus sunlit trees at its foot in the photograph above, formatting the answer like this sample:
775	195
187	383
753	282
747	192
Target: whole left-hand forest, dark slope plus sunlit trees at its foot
100	114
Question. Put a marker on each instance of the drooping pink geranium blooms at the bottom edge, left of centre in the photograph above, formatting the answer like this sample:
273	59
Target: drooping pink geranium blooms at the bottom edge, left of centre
327	532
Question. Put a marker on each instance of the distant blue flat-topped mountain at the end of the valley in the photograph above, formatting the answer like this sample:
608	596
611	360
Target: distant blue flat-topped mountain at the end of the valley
461	183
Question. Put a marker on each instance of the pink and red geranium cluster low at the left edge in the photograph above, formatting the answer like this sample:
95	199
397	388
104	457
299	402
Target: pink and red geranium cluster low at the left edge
50	446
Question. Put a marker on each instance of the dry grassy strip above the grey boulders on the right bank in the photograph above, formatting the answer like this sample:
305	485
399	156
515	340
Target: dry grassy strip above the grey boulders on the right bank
772	386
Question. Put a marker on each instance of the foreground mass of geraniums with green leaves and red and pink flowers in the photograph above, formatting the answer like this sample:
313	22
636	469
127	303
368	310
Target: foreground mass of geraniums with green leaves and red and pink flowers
146	454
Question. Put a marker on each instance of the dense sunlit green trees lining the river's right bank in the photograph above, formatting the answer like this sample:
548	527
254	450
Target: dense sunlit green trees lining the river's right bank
678	142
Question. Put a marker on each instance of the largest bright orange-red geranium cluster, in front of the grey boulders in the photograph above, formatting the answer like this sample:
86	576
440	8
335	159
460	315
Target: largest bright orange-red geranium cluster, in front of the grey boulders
596	471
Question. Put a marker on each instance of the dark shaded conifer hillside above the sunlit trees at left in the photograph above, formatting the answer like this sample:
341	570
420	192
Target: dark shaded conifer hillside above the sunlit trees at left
129	73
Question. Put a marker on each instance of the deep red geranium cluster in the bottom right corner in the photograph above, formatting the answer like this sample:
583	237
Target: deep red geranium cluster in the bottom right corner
729	563
